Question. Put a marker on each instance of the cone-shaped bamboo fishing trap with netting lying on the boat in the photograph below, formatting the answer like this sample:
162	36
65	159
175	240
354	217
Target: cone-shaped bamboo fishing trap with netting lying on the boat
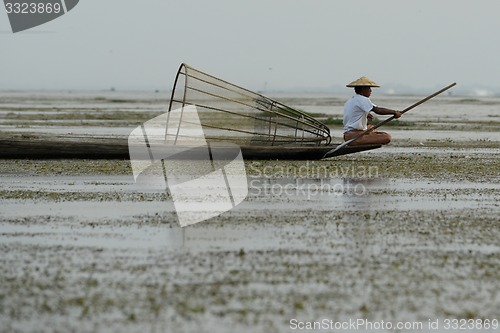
229	112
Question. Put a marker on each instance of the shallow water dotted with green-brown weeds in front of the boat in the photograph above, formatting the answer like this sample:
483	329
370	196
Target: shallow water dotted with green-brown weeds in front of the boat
83	250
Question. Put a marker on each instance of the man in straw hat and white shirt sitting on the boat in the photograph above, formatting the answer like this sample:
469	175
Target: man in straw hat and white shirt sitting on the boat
357	113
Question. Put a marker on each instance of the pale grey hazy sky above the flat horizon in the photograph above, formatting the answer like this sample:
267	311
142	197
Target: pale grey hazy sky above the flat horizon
316	44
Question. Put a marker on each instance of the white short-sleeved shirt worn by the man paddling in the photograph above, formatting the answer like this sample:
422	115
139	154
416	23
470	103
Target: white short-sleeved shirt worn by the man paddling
356	111
